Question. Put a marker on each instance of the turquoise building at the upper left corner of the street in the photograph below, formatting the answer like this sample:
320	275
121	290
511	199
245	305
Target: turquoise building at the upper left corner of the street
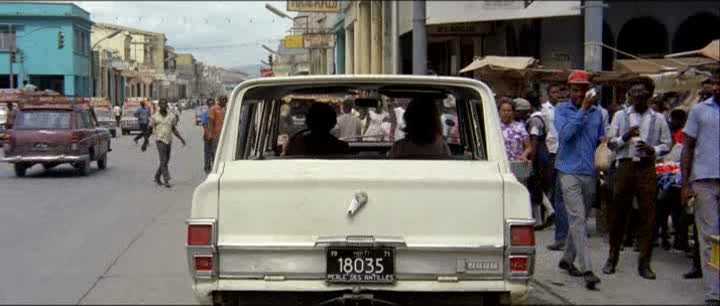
51	43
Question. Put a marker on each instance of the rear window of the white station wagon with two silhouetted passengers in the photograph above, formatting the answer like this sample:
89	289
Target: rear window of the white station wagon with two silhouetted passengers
365	122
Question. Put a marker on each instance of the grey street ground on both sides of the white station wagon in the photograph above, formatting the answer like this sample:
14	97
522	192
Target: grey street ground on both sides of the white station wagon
114	237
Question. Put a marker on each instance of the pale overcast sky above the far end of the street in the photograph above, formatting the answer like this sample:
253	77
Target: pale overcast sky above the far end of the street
223	33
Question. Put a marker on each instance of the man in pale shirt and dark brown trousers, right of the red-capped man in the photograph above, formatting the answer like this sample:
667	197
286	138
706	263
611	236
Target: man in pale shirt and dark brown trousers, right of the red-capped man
638	136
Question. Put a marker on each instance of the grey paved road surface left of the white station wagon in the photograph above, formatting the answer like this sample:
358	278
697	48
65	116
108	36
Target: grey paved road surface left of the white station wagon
111	237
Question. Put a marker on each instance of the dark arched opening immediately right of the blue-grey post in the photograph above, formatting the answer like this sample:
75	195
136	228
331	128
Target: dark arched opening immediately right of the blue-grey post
644	37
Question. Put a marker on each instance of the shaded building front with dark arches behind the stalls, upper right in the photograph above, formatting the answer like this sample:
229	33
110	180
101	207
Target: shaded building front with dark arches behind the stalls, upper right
555	31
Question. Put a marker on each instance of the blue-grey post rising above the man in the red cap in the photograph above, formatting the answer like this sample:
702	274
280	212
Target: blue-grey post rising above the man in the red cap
593	33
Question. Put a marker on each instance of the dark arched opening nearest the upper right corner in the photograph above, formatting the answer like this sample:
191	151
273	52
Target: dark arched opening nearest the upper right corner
696	32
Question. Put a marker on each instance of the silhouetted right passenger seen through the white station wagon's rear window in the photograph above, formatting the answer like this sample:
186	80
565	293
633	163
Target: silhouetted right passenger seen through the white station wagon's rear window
423	134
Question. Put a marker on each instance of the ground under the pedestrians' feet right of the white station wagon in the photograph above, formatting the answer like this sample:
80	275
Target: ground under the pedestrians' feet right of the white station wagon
623	287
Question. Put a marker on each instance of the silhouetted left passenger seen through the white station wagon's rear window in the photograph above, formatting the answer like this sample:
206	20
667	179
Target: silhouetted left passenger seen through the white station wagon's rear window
317	139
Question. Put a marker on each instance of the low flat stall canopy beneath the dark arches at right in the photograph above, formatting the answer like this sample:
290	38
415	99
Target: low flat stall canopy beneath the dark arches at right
660	65
